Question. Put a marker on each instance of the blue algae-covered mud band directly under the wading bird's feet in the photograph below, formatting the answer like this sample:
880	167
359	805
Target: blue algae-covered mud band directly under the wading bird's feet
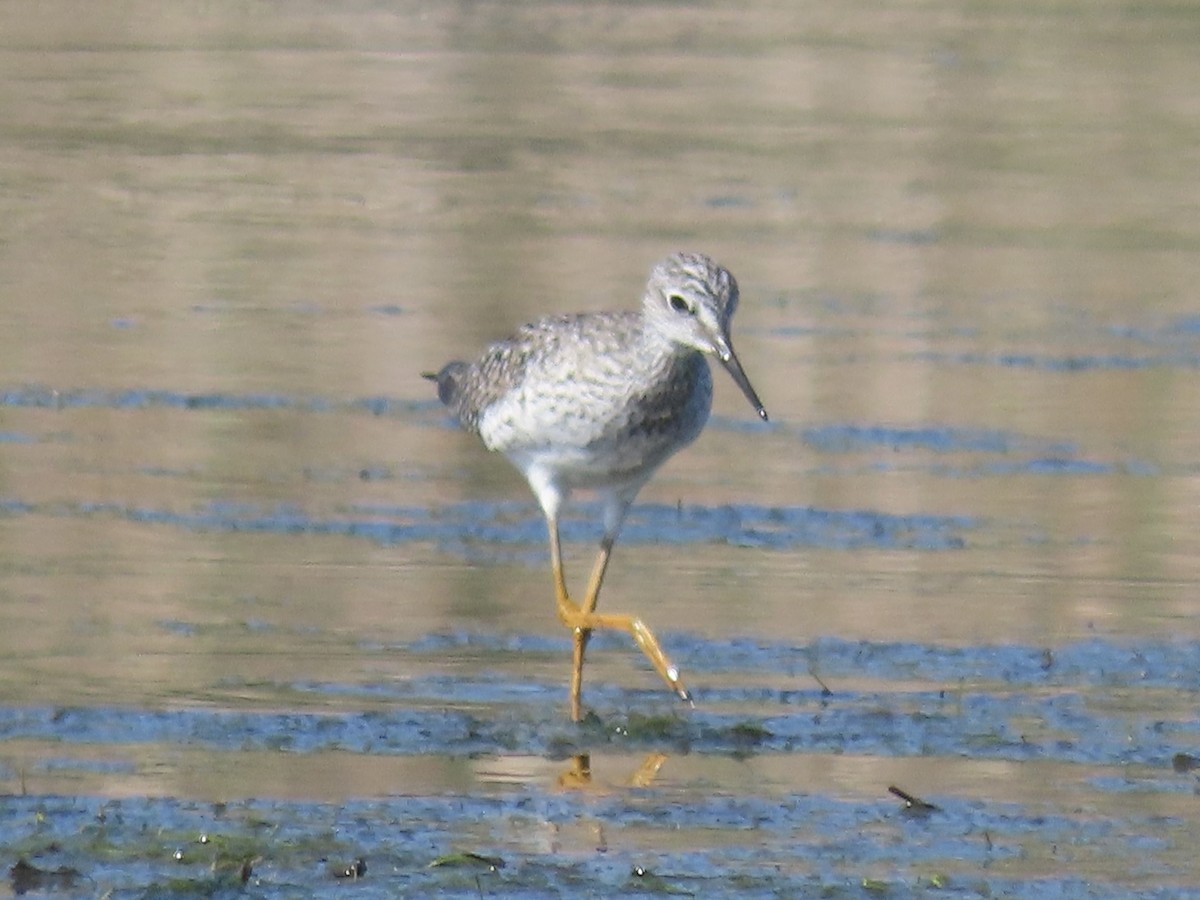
985	704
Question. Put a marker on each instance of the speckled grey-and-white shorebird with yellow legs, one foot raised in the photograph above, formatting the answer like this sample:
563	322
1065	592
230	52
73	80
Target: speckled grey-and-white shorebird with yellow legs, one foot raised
599	401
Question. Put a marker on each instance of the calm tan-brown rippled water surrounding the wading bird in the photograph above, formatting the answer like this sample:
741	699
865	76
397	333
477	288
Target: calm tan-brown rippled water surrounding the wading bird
233	235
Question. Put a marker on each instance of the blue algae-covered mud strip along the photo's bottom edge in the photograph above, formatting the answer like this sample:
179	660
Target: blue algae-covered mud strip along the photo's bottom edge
664	844
